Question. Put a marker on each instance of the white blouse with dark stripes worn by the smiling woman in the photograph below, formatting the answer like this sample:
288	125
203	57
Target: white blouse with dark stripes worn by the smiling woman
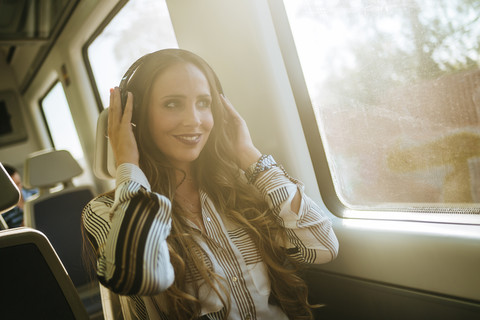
134	262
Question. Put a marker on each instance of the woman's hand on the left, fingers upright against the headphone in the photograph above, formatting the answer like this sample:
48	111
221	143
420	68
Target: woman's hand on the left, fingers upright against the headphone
120	131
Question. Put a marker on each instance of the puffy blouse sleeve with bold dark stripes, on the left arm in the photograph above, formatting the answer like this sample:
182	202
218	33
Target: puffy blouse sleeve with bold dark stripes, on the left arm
129	235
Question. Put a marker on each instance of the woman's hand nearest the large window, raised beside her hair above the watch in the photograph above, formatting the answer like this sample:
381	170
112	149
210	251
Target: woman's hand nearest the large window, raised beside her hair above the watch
247	153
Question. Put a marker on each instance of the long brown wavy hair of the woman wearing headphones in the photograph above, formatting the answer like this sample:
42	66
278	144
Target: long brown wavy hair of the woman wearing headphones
217	174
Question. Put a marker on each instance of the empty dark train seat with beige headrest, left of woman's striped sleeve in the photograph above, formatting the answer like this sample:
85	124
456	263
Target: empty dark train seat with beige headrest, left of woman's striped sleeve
57	213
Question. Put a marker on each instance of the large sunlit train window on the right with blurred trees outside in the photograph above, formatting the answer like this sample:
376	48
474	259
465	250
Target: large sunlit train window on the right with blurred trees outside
395	89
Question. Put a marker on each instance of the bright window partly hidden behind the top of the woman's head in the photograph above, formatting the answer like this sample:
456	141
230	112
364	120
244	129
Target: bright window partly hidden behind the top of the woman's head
140	27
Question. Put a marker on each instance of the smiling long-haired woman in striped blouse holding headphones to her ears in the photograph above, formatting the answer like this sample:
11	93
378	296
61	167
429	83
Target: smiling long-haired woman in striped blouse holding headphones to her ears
185	234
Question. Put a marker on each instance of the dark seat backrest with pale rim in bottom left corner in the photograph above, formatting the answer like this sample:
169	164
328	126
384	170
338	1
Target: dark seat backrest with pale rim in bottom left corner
34	284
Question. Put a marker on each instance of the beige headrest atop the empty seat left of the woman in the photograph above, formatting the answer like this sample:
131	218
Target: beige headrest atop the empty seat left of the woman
45	169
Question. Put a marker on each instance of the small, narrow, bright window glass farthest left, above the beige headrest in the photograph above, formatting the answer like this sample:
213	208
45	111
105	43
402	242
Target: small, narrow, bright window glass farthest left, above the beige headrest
62	129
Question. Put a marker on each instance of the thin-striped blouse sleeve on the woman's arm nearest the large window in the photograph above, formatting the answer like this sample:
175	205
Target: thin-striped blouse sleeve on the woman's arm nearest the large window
310	235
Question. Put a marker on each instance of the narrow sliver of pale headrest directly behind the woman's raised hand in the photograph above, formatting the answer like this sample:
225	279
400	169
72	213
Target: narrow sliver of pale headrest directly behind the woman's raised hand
104	161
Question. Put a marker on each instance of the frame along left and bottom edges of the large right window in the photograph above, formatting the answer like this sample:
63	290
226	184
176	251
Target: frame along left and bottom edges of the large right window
429	213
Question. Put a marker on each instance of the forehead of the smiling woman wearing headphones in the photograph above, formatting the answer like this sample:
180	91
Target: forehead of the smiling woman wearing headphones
181	76
